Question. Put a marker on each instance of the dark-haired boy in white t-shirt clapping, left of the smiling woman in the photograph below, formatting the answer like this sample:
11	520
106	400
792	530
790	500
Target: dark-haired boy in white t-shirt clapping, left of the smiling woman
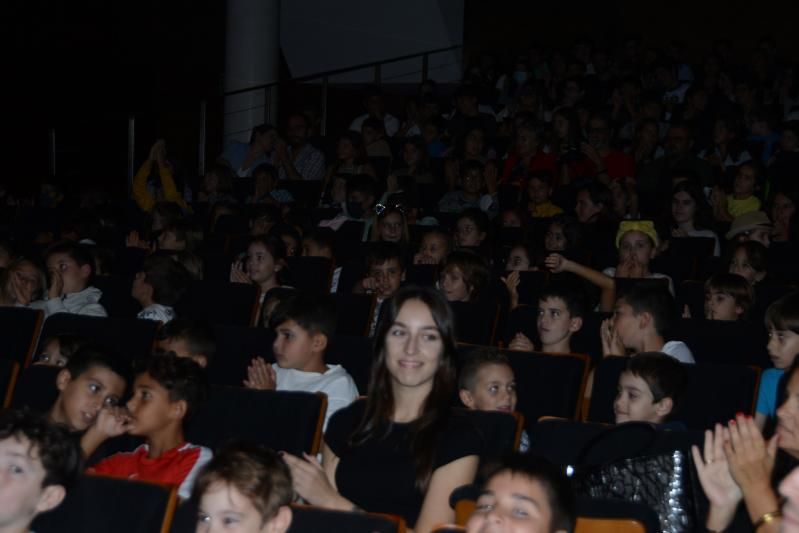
303	326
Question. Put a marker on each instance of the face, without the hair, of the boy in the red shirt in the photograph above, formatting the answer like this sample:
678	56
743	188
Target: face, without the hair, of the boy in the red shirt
150	408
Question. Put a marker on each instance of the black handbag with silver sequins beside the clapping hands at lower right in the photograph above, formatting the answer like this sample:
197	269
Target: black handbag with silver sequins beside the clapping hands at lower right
617	465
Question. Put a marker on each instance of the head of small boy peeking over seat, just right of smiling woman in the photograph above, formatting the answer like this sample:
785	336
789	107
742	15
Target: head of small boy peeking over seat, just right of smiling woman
486	382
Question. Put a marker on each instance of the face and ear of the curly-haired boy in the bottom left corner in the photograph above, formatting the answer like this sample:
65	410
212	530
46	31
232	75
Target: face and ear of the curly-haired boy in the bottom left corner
21	493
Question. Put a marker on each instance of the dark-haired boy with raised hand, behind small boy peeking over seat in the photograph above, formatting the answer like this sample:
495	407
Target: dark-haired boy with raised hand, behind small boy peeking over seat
561	308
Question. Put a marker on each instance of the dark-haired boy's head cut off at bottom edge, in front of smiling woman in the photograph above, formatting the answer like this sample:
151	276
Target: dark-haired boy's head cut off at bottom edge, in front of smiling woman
524	494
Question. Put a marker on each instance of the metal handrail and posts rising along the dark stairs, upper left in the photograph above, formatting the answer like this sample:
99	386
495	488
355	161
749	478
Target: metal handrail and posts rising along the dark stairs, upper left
270	114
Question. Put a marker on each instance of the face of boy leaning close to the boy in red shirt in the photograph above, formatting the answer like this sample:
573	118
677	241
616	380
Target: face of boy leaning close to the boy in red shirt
81	399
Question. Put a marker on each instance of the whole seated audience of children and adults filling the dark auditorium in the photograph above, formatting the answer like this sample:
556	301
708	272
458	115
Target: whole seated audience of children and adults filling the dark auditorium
587	192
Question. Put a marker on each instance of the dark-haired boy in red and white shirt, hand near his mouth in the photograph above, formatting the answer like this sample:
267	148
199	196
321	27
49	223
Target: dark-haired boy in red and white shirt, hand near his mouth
166	390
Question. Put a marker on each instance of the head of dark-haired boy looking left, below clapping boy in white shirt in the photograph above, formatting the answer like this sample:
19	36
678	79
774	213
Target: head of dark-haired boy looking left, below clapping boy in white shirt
650	388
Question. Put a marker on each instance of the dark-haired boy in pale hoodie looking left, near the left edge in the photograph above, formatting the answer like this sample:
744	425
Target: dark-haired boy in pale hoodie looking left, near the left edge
70	270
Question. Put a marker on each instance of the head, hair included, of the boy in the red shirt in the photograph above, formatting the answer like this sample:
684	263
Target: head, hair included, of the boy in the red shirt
166	391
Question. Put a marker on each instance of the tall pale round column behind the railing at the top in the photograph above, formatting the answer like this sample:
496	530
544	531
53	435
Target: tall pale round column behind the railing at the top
252	56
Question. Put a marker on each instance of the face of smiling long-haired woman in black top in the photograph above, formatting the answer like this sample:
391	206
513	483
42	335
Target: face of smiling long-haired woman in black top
413	347
